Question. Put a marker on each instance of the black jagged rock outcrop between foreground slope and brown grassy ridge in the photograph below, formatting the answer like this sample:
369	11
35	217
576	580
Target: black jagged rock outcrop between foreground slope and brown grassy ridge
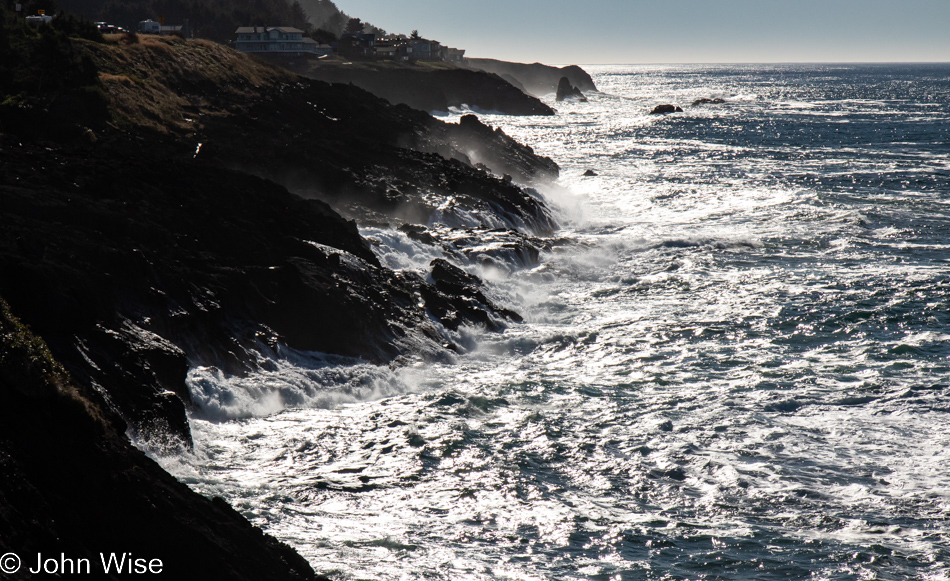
145	272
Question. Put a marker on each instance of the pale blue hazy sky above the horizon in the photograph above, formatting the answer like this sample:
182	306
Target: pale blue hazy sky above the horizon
675	31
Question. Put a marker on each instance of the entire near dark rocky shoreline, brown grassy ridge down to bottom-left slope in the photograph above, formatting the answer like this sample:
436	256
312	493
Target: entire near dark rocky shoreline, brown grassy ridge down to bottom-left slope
213	209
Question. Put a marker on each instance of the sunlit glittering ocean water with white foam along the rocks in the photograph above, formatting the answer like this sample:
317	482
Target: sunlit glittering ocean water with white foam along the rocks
739	368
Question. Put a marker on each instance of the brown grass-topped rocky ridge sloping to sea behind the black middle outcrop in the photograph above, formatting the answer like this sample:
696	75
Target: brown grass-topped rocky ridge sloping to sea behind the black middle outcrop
336	142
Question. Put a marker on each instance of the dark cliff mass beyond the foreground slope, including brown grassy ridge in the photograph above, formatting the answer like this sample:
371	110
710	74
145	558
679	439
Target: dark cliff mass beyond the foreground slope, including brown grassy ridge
147	250
